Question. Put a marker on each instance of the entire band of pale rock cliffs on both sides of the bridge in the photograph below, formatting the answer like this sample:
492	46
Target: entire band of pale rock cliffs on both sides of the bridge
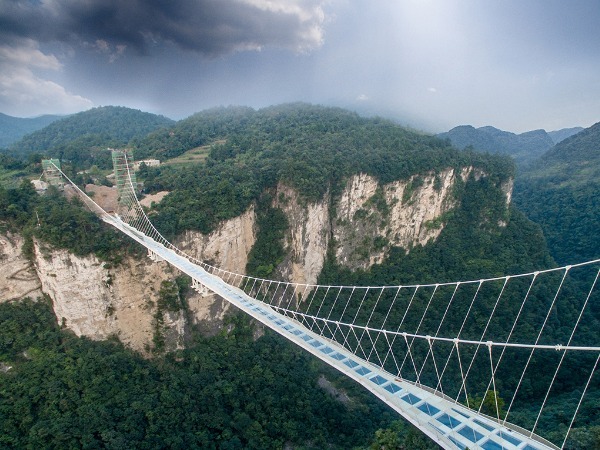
368	218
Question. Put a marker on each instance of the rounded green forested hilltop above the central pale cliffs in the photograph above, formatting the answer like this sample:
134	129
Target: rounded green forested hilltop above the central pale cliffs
313	149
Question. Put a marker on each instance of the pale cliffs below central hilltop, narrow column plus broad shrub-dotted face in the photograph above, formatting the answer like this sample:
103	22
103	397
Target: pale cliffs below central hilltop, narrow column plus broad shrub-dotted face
366	220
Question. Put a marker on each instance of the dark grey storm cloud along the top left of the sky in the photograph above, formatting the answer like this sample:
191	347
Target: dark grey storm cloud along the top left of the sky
209	27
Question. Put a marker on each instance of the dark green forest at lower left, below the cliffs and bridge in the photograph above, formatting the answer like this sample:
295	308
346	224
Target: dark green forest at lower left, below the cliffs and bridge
224	392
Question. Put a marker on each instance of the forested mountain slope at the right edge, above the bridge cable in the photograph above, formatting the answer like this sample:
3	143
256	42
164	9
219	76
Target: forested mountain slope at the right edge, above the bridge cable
561	192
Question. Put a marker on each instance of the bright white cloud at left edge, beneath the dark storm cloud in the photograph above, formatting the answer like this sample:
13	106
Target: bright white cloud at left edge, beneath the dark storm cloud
23	93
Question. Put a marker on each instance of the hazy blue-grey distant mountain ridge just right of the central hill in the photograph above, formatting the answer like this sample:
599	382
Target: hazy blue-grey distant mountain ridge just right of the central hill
522	147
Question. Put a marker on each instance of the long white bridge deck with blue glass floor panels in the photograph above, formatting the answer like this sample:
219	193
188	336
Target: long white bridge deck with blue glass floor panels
448	423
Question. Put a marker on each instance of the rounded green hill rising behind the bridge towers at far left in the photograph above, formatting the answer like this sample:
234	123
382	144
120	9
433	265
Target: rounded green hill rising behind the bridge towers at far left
81	137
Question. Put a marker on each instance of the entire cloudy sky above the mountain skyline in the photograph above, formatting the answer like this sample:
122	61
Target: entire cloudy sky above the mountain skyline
518	65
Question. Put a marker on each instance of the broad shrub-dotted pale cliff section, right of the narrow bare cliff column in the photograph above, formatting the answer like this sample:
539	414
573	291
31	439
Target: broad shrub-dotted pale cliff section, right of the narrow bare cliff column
370	218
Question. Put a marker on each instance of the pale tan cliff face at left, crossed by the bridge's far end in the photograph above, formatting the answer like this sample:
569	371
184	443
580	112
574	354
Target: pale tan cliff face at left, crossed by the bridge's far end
96	300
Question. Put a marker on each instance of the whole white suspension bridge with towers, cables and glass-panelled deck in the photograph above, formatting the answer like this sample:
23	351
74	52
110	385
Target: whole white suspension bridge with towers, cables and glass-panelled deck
477	364
